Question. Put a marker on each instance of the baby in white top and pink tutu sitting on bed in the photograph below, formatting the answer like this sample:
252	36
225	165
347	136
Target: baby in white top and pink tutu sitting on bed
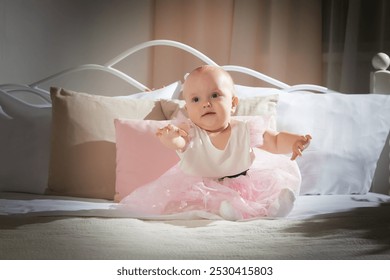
218	170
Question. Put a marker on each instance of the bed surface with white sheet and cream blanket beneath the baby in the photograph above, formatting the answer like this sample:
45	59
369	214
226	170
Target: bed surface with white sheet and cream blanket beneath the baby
319	227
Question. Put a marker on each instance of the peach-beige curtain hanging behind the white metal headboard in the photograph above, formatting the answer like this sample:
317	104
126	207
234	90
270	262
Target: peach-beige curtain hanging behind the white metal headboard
280	38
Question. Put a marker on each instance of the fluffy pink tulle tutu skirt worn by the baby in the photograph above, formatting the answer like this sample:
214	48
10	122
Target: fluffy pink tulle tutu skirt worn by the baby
250	195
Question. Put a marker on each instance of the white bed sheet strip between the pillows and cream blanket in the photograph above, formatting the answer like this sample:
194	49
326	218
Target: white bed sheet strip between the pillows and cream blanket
307	206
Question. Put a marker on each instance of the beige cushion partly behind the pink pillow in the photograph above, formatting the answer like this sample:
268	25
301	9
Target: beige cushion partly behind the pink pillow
82	160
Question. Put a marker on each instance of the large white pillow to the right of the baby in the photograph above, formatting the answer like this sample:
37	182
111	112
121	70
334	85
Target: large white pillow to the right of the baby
349	133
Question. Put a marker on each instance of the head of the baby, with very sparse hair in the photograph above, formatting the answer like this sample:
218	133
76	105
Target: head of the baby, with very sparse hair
209	98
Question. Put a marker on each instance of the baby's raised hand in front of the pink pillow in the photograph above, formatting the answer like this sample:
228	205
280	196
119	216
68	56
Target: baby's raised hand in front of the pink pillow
173	137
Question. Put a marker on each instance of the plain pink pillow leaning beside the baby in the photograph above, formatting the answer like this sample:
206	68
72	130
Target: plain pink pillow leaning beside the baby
140	157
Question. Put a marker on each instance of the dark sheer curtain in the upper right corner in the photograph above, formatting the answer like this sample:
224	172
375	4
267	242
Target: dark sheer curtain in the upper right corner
353	32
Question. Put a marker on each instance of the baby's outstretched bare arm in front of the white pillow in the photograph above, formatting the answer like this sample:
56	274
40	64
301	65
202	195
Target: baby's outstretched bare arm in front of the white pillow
284	143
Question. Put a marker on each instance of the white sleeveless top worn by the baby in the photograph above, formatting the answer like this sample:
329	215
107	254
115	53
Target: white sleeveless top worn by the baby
202	158
